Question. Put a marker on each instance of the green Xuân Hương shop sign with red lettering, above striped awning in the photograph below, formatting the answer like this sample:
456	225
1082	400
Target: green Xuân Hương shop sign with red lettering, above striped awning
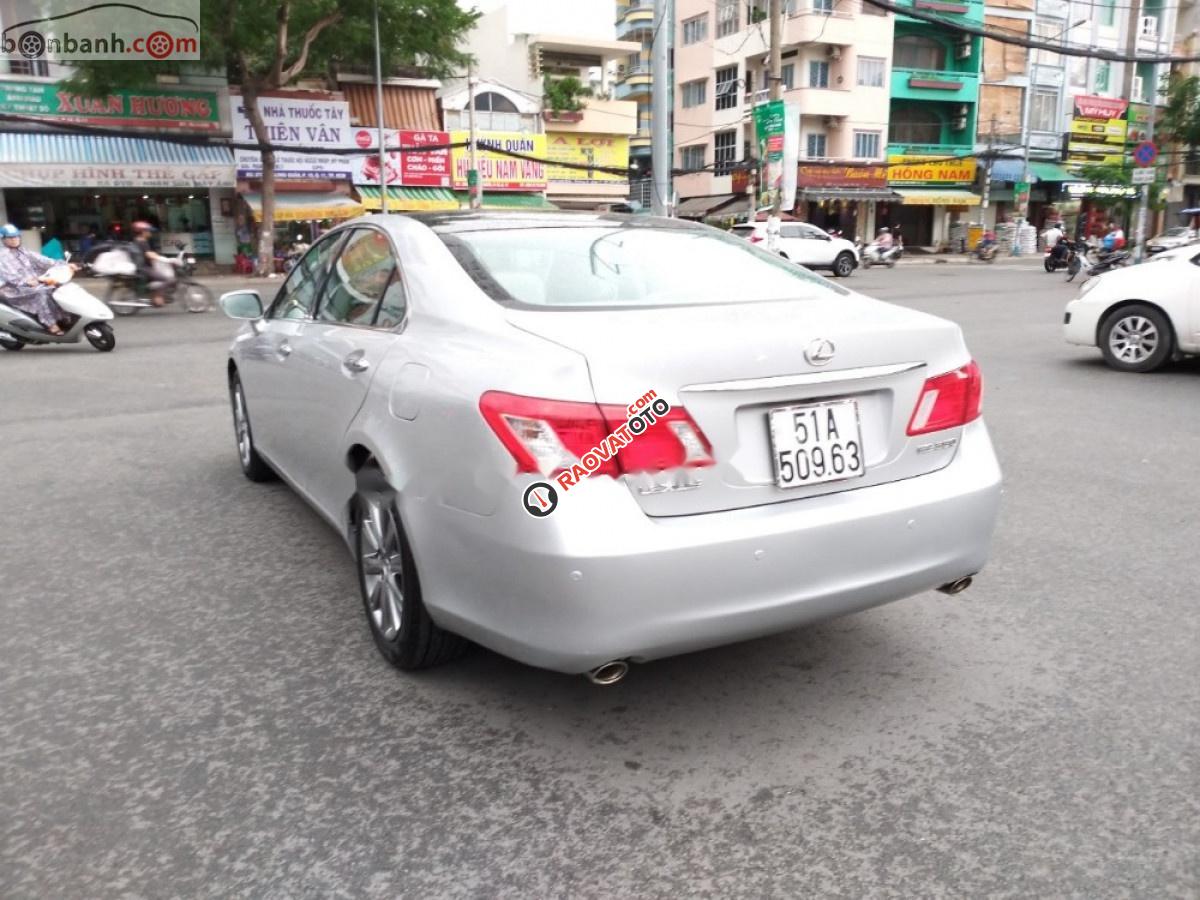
181	111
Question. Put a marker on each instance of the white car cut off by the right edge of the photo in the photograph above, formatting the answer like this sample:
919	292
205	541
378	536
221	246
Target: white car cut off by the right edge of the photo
1143	316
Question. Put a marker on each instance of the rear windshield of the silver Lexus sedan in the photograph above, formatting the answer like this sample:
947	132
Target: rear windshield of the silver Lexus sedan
627	267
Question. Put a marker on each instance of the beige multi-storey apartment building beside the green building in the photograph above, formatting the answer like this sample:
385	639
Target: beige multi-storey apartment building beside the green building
837	71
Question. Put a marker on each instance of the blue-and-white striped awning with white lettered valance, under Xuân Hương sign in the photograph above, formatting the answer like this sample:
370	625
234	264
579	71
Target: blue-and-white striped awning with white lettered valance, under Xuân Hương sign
38	160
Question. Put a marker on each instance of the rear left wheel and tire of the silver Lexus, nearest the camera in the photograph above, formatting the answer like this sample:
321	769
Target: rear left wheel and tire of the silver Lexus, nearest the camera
400	625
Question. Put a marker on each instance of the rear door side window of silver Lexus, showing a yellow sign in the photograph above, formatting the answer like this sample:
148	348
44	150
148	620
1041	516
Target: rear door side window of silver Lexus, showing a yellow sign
361	280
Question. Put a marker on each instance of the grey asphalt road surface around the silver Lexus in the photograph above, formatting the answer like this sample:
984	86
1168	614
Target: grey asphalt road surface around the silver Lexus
191	706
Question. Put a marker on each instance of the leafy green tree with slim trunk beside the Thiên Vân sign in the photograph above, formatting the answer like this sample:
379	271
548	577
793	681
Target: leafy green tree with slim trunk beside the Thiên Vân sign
266	46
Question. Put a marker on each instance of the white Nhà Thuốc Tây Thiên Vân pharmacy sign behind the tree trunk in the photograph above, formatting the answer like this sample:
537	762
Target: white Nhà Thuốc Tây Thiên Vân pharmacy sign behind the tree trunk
297	121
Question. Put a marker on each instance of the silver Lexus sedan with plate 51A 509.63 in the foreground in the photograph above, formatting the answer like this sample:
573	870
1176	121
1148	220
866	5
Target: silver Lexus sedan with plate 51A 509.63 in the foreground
586	441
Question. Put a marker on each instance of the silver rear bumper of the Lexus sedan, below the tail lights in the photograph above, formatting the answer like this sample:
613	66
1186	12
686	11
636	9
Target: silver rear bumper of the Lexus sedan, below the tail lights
599	580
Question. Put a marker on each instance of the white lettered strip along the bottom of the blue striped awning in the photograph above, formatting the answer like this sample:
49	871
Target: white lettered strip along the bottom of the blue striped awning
63	175
